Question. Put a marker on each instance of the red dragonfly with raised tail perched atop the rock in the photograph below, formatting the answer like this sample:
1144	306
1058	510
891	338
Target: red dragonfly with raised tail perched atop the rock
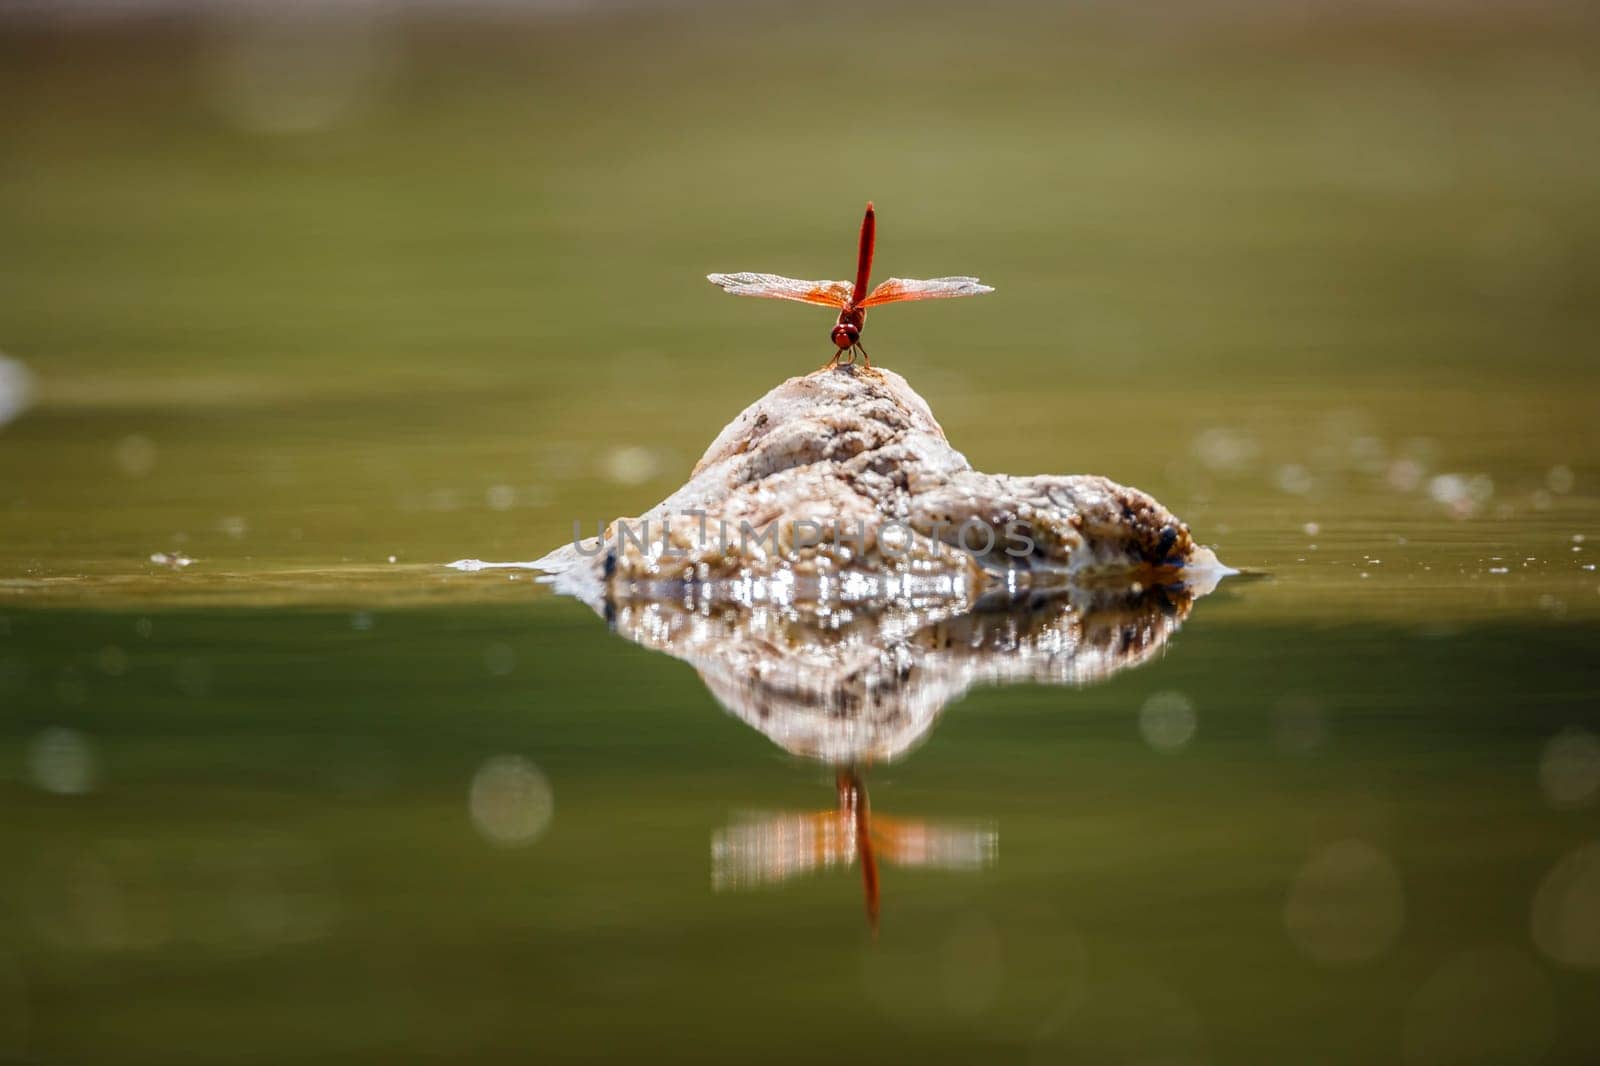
852	300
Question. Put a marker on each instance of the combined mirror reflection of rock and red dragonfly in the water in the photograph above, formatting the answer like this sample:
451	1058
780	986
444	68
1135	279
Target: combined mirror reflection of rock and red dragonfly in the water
860	684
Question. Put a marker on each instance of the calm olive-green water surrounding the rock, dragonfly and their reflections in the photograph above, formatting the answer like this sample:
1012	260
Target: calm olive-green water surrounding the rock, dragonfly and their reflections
1322	287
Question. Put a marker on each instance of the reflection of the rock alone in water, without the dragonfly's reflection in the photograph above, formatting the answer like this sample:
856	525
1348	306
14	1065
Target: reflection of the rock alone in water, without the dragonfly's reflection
866	684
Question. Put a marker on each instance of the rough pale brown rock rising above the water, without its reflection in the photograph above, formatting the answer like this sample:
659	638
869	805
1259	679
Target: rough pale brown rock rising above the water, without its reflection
841	486
